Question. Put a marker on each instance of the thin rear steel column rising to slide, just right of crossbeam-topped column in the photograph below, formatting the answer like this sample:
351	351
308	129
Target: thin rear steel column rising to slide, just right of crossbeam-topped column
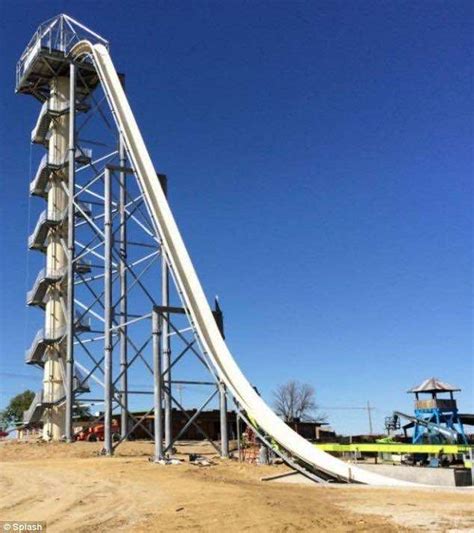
123	293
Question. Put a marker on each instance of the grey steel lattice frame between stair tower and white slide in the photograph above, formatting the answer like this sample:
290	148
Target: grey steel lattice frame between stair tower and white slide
116	294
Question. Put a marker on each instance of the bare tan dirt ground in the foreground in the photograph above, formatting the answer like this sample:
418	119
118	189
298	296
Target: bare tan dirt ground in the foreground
72	488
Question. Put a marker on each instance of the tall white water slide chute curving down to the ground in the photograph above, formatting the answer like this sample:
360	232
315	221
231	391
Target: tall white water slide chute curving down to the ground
192	293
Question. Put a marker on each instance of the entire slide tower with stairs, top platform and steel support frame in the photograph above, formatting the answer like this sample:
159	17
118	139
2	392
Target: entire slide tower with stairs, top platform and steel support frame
109	326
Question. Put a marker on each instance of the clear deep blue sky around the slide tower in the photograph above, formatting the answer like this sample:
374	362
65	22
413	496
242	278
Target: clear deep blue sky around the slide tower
320	165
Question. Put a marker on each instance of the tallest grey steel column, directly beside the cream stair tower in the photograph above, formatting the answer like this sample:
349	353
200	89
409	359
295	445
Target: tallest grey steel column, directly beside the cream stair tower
69	388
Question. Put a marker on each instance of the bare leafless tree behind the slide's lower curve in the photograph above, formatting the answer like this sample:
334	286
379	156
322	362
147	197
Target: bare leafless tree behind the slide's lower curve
296	401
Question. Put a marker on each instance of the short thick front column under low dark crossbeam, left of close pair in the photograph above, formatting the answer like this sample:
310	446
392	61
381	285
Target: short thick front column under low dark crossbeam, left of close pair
157	324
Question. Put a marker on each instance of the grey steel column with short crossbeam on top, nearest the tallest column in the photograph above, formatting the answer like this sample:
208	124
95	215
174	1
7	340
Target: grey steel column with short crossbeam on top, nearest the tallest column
108	313
